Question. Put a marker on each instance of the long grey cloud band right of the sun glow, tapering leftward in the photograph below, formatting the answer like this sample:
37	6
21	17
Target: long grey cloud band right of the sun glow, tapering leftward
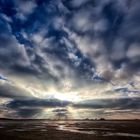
121	103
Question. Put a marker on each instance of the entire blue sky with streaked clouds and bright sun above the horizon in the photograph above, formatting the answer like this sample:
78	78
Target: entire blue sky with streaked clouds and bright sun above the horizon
71	59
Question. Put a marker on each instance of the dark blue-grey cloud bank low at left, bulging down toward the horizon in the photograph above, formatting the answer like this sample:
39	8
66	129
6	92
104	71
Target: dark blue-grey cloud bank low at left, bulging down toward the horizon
31	108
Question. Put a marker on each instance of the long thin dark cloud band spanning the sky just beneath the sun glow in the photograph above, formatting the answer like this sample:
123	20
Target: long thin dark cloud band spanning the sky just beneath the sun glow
120	103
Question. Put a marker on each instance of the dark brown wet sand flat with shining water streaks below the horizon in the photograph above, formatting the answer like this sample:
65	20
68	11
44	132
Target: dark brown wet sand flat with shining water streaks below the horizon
69	130
